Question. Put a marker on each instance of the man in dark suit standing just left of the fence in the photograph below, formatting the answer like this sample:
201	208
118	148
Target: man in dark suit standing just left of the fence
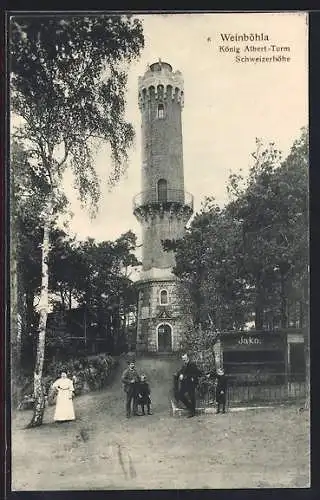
187	378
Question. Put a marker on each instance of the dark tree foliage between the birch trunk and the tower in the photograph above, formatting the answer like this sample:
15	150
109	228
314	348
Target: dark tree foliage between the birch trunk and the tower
91	273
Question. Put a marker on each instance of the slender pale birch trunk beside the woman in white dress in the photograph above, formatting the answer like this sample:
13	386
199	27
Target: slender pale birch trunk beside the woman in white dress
39	403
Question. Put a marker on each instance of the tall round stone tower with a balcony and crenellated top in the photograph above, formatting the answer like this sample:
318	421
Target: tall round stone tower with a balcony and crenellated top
163	207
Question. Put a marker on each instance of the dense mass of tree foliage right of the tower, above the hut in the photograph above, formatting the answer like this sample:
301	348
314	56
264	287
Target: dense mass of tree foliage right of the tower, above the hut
249	259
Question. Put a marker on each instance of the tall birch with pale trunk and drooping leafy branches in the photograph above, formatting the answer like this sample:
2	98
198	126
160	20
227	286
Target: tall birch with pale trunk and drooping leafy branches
68	78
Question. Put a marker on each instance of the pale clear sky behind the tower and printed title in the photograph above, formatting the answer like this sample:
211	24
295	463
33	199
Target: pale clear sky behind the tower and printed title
227	105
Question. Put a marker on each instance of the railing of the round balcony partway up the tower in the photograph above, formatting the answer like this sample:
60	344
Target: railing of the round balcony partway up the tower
169	196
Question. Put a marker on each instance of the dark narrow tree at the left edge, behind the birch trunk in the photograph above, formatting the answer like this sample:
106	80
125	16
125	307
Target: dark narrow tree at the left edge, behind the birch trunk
26	197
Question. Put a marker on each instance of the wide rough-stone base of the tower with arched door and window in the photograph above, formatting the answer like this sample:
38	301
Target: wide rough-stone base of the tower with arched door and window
162	321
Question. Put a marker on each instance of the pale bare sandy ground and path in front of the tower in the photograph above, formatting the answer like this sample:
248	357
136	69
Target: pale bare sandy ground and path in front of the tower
103	450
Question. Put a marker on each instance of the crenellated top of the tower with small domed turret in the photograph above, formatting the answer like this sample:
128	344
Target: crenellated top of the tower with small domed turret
160	79
